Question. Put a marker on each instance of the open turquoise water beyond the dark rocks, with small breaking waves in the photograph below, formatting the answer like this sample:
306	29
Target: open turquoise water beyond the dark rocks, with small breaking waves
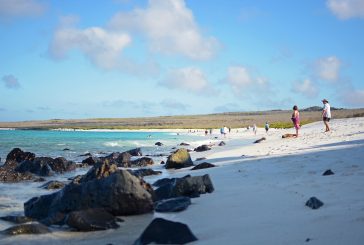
54	143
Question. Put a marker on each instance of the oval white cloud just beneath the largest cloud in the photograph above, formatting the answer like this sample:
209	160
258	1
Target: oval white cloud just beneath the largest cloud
188	79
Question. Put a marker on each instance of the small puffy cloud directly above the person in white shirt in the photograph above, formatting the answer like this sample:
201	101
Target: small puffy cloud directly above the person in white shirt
328	68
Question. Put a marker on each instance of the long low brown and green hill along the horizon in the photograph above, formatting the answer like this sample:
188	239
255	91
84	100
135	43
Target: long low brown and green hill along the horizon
280	118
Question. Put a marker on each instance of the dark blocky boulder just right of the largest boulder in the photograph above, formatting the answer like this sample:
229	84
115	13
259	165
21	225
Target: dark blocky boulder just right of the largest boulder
187	186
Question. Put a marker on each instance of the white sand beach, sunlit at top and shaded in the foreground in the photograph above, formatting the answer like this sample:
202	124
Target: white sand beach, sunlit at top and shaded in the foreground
261	190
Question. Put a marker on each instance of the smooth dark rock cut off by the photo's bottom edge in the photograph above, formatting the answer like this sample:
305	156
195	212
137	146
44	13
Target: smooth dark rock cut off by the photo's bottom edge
161	231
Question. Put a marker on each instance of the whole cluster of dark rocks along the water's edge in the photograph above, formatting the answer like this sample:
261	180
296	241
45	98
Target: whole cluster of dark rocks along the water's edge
110	189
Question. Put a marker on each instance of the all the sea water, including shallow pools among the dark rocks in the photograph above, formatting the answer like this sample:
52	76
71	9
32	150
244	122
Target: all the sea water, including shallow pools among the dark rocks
73	144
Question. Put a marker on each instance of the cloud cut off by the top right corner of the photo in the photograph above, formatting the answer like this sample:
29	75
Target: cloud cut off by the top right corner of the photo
346	9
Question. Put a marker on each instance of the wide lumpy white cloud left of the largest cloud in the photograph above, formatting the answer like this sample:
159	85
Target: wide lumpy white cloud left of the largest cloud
101	46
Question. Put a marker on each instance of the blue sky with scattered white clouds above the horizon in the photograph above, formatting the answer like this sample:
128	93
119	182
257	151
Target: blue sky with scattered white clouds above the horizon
74	59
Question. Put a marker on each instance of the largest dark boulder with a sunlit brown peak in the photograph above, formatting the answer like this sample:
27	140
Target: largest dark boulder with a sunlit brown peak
119	193
